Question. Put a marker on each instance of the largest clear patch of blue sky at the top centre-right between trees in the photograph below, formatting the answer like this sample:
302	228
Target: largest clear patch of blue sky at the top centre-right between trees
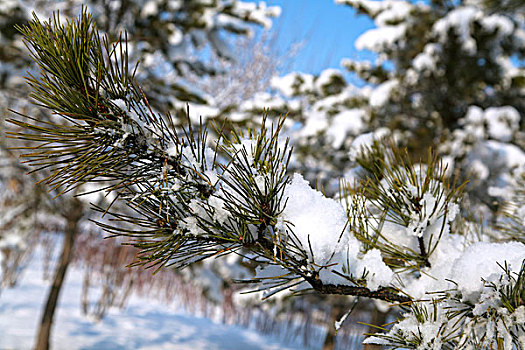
327	30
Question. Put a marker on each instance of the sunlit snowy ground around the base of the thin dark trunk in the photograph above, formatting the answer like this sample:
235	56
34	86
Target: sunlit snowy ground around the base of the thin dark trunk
143	324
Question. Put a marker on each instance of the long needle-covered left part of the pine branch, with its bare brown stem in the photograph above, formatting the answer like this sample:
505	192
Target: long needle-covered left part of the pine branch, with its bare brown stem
187	201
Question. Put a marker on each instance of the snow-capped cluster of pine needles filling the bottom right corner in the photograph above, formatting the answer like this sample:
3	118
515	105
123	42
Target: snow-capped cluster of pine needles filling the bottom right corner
482	309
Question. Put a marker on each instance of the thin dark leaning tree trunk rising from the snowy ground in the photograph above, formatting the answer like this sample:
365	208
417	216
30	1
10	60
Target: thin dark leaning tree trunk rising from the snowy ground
73	217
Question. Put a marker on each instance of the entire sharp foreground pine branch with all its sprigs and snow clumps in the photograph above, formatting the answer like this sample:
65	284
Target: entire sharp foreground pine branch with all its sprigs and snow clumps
393	235
